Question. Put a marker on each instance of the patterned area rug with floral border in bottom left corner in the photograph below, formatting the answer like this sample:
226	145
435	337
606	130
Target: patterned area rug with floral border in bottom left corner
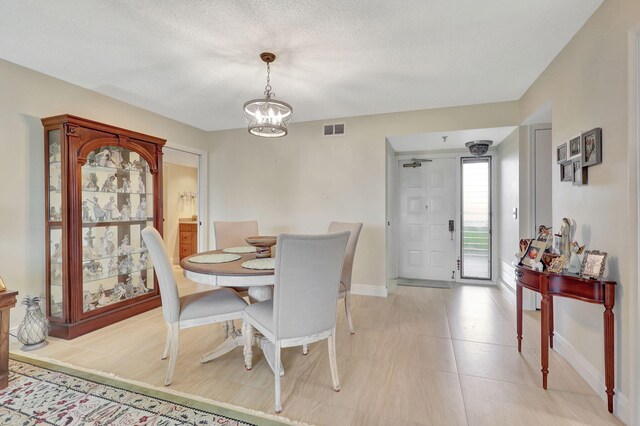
49	394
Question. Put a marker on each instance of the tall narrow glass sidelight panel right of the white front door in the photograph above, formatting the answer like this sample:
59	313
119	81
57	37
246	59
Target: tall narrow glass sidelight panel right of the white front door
476	219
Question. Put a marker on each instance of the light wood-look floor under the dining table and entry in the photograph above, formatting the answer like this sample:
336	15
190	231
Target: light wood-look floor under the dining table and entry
423	356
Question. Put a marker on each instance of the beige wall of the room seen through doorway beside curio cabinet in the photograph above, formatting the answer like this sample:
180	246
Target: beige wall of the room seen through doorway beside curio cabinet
178	179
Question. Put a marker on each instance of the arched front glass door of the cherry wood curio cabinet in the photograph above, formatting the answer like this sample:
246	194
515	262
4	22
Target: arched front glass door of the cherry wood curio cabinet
116	205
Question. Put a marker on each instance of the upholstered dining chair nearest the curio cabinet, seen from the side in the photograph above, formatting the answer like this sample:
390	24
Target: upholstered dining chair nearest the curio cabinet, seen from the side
192	310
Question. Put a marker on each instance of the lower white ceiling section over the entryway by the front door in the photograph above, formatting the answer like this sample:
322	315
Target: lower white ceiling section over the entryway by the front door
455	140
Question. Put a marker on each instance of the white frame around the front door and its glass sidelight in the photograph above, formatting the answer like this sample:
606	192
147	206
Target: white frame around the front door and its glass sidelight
395	214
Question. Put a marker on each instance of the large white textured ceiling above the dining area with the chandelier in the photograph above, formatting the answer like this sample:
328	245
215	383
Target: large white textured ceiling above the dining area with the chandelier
198	61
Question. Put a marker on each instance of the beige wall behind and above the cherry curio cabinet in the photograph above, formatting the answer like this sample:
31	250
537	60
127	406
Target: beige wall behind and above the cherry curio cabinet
25	97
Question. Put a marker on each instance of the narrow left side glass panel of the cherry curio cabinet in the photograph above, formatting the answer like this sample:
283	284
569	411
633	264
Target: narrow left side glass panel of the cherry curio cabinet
56	300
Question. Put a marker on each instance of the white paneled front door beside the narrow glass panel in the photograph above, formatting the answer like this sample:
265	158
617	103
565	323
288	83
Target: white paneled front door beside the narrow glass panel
427	204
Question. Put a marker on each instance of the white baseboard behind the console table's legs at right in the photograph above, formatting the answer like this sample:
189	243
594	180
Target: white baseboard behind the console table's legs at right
591	375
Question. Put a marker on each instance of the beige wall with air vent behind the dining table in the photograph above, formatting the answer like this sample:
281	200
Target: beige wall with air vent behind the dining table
302	182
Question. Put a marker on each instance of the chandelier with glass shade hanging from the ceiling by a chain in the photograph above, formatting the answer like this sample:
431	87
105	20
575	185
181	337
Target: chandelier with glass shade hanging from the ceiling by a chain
267	117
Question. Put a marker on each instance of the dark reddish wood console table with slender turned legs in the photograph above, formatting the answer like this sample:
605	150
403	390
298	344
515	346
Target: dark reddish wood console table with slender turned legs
573	287
